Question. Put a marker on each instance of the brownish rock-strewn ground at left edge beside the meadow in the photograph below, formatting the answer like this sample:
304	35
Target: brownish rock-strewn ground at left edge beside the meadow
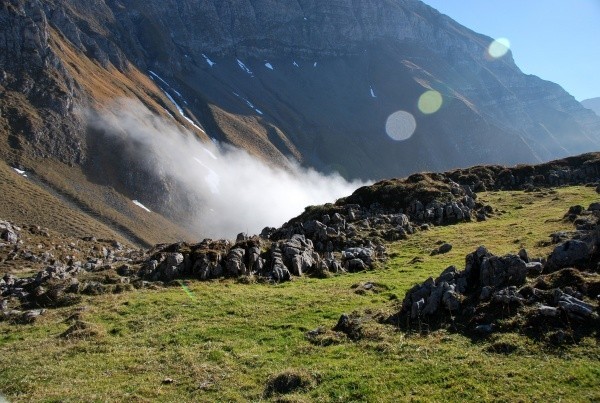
64	269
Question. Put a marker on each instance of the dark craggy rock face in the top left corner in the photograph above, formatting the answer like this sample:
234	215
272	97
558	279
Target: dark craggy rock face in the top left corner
32	71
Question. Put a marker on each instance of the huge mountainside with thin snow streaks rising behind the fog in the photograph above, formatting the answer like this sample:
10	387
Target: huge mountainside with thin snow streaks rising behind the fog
306	80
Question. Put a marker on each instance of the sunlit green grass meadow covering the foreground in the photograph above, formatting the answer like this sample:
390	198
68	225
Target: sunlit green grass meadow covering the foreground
222	341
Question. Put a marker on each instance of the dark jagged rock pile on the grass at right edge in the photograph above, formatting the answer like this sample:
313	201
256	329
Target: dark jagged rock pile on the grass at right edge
554	299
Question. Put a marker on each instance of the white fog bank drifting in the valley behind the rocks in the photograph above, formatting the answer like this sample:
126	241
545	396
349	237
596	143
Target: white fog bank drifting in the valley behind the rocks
236	192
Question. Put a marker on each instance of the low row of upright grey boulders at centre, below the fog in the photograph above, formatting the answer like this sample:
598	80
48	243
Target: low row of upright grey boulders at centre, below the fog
271	261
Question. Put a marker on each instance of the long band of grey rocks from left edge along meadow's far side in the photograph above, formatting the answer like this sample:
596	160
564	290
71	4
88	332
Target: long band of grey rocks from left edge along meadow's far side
349	239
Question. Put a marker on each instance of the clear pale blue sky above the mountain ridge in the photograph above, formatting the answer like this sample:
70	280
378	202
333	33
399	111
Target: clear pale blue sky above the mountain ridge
557	40
